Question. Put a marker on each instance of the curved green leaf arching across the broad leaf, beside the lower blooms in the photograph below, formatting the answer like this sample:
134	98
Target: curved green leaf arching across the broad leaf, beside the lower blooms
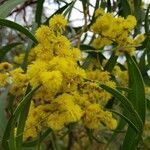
128	107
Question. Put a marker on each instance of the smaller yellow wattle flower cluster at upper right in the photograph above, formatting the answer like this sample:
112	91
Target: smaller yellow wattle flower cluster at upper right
116	31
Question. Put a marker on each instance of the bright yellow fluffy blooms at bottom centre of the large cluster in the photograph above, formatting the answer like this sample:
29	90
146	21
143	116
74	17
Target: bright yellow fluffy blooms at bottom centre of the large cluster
65	112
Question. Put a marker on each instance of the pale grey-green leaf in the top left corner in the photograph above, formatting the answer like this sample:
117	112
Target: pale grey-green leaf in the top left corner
8	6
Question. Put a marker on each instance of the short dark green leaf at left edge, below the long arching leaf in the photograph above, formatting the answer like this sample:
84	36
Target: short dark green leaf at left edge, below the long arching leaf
5	49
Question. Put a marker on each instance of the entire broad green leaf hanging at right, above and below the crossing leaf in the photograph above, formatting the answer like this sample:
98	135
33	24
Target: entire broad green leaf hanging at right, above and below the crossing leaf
137	98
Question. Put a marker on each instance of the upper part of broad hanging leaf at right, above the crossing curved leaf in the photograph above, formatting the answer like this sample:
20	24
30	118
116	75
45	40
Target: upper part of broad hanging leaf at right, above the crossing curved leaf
136	84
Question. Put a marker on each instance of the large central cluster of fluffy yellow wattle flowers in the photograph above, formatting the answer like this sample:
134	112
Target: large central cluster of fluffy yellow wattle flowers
68	94
